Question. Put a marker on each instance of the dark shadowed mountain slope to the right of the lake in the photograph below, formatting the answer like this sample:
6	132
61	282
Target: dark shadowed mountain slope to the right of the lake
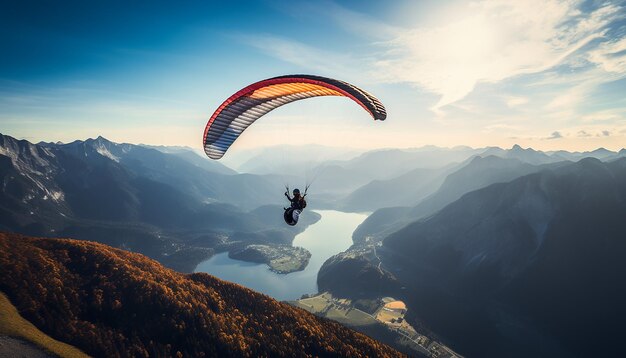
527	266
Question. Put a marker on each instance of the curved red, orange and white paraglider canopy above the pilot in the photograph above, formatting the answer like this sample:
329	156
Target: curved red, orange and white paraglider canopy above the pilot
252	102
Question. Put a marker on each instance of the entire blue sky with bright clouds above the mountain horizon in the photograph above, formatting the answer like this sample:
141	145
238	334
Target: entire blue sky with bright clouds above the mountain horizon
548	74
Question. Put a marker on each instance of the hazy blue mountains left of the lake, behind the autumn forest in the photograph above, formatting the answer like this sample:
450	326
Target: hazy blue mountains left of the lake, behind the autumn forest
176	207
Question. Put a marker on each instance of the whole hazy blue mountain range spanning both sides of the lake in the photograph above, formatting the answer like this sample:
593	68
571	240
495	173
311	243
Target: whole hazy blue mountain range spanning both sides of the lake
500	252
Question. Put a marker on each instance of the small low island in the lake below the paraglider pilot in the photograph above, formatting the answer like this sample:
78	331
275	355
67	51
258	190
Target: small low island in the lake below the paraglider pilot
280	258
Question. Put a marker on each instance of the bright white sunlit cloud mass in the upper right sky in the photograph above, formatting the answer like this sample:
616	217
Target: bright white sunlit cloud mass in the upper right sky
489	41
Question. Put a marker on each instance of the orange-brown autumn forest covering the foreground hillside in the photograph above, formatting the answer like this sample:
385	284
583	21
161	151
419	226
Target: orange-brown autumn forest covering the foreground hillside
110	302
